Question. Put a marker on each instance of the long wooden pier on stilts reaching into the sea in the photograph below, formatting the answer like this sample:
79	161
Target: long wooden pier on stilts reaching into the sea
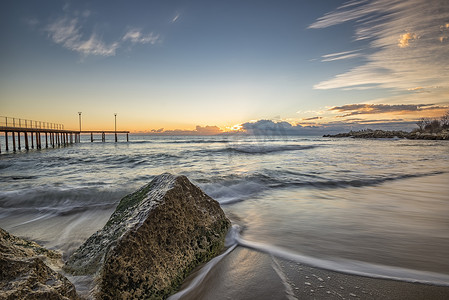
35	133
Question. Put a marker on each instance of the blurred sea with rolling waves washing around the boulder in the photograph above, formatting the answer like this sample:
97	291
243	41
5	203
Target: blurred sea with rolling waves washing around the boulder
375	207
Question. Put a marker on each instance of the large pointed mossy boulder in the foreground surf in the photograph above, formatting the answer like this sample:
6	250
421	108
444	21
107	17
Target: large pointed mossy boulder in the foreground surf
155	237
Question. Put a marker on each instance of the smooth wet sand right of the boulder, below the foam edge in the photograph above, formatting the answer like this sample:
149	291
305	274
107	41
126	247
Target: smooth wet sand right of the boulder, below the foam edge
249	274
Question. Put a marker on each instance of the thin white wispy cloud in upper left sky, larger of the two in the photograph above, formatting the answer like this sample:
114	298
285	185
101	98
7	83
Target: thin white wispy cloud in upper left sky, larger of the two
67	33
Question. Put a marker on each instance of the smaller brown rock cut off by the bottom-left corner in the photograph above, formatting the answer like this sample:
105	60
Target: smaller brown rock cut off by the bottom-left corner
24	273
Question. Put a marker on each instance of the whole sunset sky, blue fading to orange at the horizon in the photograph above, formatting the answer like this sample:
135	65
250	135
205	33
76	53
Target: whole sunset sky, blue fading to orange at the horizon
206	67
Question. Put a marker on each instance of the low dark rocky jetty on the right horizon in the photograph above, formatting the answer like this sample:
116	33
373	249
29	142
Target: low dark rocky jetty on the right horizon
381	134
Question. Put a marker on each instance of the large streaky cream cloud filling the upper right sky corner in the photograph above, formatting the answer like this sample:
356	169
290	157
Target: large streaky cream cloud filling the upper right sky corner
419	29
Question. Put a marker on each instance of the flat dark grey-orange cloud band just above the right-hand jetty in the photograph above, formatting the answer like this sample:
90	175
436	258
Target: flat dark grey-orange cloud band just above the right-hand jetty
364	109
